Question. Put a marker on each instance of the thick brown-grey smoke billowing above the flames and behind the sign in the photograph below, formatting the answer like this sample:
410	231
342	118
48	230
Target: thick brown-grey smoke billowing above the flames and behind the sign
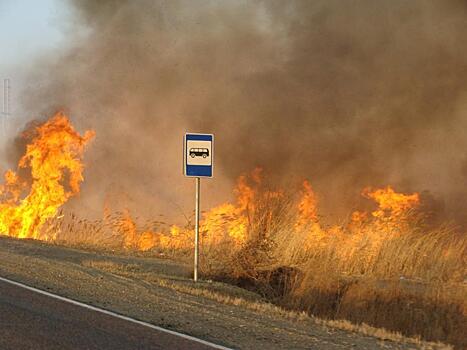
348	94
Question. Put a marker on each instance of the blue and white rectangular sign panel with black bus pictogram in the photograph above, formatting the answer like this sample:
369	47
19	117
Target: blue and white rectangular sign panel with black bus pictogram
198	155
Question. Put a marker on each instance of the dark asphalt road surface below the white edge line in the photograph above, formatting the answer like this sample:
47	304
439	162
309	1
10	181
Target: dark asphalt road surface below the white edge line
29	320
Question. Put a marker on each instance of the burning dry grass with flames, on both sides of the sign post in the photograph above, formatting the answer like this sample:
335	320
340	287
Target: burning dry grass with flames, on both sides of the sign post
391	267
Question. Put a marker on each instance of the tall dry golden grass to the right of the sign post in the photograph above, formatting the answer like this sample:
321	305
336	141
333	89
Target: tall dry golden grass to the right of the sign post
393	272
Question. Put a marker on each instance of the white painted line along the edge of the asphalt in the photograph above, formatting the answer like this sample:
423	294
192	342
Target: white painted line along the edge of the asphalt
110	313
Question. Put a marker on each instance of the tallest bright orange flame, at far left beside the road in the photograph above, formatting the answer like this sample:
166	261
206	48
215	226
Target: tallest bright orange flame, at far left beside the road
54	157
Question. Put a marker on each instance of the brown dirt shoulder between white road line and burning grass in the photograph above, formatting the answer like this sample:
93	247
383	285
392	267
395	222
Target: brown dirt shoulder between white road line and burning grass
159	291
